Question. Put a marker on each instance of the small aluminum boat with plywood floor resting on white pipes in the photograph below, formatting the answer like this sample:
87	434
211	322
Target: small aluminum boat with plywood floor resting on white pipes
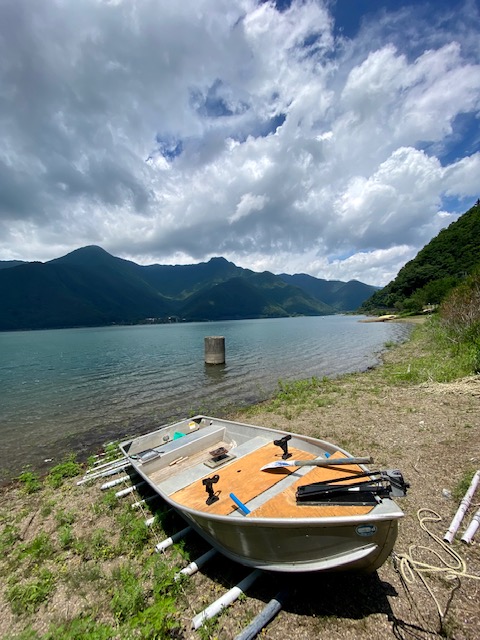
271	499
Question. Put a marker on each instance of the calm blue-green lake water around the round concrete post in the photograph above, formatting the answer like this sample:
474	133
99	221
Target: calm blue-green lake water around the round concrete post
75	389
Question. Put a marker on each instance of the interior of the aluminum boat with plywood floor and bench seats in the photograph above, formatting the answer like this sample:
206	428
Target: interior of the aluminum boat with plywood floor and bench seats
211	466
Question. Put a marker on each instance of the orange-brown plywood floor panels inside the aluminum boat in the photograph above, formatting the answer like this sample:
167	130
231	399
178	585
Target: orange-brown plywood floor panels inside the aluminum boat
244	479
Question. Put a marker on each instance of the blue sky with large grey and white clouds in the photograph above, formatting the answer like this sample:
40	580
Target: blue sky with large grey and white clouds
334	138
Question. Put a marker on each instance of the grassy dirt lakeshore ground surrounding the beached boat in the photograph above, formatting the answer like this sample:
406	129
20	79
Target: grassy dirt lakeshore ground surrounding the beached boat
79	563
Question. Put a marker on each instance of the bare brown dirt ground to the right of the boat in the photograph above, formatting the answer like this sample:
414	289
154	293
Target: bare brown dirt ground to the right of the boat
431	432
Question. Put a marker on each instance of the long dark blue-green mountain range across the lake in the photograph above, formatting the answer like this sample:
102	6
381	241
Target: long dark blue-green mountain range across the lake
90	287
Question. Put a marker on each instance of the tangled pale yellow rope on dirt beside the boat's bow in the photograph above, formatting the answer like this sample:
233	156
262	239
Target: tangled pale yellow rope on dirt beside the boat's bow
411	568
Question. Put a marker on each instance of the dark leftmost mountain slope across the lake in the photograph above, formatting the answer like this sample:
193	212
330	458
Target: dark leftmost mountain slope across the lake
59	294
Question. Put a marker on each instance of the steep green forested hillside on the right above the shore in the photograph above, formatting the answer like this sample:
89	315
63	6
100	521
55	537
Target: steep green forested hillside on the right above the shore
441	265
